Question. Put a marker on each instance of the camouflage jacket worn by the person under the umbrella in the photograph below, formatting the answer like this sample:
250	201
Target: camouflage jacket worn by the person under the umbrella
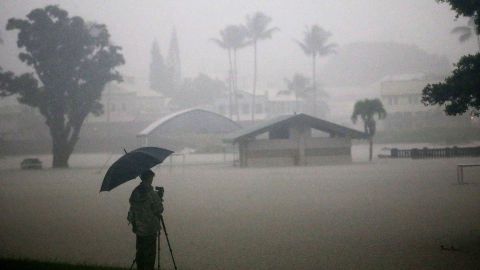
145	210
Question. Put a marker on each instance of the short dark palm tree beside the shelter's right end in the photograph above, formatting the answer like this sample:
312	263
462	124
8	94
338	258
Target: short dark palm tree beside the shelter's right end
367	109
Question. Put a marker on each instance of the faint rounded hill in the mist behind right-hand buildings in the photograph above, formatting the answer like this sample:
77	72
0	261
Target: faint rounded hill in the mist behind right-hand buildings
360	64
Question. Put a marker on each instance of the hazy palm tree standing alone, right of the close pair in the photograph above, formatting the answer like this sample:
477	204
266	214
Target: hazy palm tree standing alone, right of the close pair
315	44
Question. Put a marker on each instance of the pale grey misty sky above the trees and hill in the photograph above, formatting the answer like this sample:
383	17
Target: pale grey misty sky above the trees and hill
134	24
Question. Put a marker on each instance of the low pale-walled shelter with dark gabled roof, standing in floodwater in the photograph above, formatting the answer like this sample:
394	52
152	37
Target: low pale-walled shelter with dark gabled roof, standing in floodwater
298	139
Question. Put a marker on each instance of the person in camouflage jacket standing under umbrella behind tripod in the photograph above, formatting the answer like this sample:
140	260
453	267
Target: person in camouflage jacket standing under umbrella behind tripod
146	207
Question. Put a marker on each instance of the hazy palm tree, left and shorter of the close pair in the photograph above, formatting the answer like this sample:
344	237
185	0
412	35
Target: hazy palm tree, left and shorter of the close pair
231	39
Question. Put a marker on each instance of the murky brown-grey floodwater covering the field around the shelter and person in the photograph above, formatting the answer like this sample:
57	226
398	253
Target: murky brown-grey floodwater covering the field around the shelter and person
388	214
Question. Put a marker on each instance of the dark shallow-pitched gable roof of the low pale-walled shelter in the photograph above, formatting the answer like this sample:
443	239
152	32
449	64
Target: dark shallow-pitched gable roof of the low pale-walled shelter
310	121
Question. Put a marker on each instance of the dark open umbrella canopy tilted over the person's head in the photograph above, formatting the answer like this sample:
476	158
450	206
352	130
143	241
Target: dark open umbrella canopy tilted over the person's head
132	164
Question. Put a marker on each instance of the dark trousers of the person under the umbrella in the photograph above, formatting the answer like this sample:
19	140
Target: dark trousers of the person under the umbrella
145	257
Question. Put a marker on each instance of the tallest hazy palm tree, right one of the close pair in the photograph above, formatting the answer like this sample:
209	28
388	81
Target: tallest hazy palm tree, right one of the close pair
257	29
